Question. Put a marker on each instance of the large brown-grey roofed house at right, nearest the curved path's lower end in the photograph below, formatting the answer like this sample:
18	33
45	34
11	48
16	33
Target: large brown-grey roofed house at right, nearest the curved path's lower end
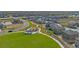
70	36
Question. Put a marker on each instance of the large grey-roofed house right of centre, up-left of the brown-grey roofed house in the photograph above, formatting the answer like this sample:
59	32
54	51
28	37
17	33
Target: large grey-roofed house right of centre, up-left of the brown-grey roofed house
57	28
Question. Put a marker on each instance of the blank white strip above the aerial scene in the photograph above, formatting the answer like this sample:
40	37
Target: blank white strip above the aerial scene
39	5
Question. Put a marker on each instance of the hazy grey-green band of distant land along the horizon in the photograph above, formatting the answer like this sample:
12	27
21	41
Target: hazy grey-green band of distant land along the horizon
37	13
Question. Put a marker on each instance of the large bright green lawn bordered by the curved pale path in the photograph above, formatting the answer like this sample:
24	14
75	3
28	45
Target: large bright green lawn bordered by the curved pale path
21	40
